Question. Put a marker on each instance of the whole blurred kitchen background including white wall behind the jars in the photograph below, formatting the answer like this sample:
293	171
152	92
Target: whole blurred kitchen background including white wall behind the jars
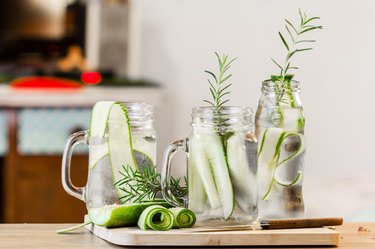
156	51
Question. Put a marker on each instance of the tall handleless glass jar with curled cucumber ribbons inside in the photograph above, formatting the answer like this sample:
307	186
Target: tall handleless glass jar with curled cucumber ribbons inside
280	124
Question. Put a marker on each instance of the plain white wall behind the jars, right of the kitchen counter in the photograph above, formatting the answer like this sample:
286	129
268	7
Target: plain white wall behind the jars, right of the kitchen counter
175	44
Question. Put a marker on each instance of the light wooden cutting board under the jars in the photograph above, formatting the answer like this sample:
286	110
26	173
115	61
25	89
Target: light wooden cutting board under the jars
133	236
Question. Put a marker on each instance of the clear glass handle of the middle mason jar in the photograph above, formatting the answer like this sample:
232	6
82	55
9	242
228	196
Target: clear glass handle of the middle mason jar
179	145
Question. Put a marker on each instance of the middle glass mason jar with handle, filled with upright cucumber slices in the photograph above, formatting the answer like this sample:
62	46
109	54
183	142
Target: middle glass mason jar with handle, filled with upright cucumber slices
222	166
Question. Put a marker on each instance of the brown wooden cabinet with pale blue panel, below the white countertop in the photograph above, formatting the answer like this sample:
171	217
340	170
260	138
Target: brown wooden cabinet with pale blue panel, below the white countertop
32	189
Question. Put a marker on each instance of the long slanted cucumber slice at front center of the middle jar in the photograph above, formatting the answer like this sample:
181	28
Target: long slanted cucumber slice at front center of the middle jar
214	150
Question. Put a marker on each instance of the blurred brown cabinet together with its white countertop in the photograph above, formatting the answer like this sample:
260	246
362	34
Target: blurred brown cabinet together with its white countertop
31	175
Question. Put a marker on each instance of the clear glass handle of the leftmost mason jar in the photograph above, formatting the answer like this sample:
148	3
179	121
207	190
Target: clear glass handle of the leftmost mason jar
74	139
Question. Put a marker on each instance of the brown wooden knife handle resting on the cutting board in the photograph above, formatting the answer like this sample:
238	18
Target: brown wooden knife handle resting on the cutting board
300	223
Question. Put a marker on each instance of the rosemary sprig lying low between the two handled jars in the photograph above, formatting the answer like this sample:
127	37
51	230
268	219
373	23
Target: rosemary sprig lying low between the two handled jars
144	185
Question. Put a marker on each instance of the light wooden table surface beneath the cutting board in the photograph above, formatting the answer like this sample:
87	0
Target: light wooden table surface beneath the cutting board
44	236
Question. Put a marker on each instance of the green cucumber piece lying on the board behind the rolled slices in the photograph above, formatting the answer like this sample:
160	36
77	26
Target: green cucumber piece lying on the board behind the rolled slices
120	215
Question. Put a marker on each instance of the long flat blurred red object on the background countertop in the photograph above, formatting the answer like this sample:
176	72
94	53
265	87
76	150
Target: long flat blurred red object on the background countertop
43	82
